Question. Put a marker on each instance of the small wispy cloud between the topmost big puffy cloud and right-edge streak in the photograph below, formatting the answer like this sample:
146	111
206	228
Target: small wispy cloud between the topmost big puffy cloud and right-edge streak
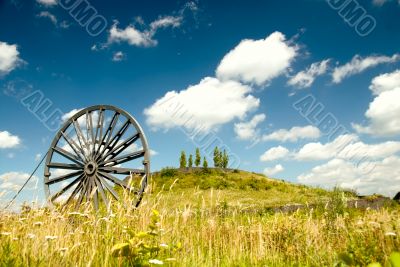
306	78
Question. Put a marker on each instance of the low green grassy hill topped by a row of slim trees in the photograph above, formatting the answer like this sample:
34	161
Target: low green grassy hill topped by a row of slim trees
239	189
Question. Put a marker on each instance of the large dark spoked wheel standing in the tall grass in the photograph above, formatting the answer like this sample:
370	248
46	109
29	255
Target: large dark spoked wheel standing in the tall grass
99	155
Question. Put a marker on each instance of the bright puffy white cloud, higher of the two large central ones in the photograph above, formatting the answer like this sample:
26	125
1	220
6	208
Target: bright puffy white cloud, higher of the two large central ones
258	61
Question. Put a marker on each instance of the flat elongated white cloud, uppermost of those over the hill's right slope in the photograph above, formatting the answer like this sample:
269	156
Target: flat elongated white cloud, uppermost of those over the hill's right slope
294	134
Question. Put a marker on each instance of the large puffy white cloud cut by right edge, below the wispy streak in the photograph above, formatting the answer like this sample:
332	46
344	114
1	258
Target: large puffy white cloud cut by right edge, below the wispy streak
383	112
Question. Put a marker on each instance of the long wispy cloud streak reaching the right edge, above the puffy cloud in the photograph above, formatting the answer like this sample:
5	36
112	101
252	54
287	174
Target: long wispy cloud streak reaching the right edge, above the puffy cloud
359	64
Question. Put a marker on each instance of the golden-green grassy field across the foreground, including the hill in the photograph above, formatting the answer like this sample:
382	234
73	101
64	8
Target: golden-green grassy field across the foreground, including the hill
208	219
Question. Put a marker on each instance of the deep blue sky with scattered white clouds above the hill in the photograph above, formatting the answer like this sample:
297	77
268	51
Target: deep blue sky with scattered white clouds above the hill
235	67
